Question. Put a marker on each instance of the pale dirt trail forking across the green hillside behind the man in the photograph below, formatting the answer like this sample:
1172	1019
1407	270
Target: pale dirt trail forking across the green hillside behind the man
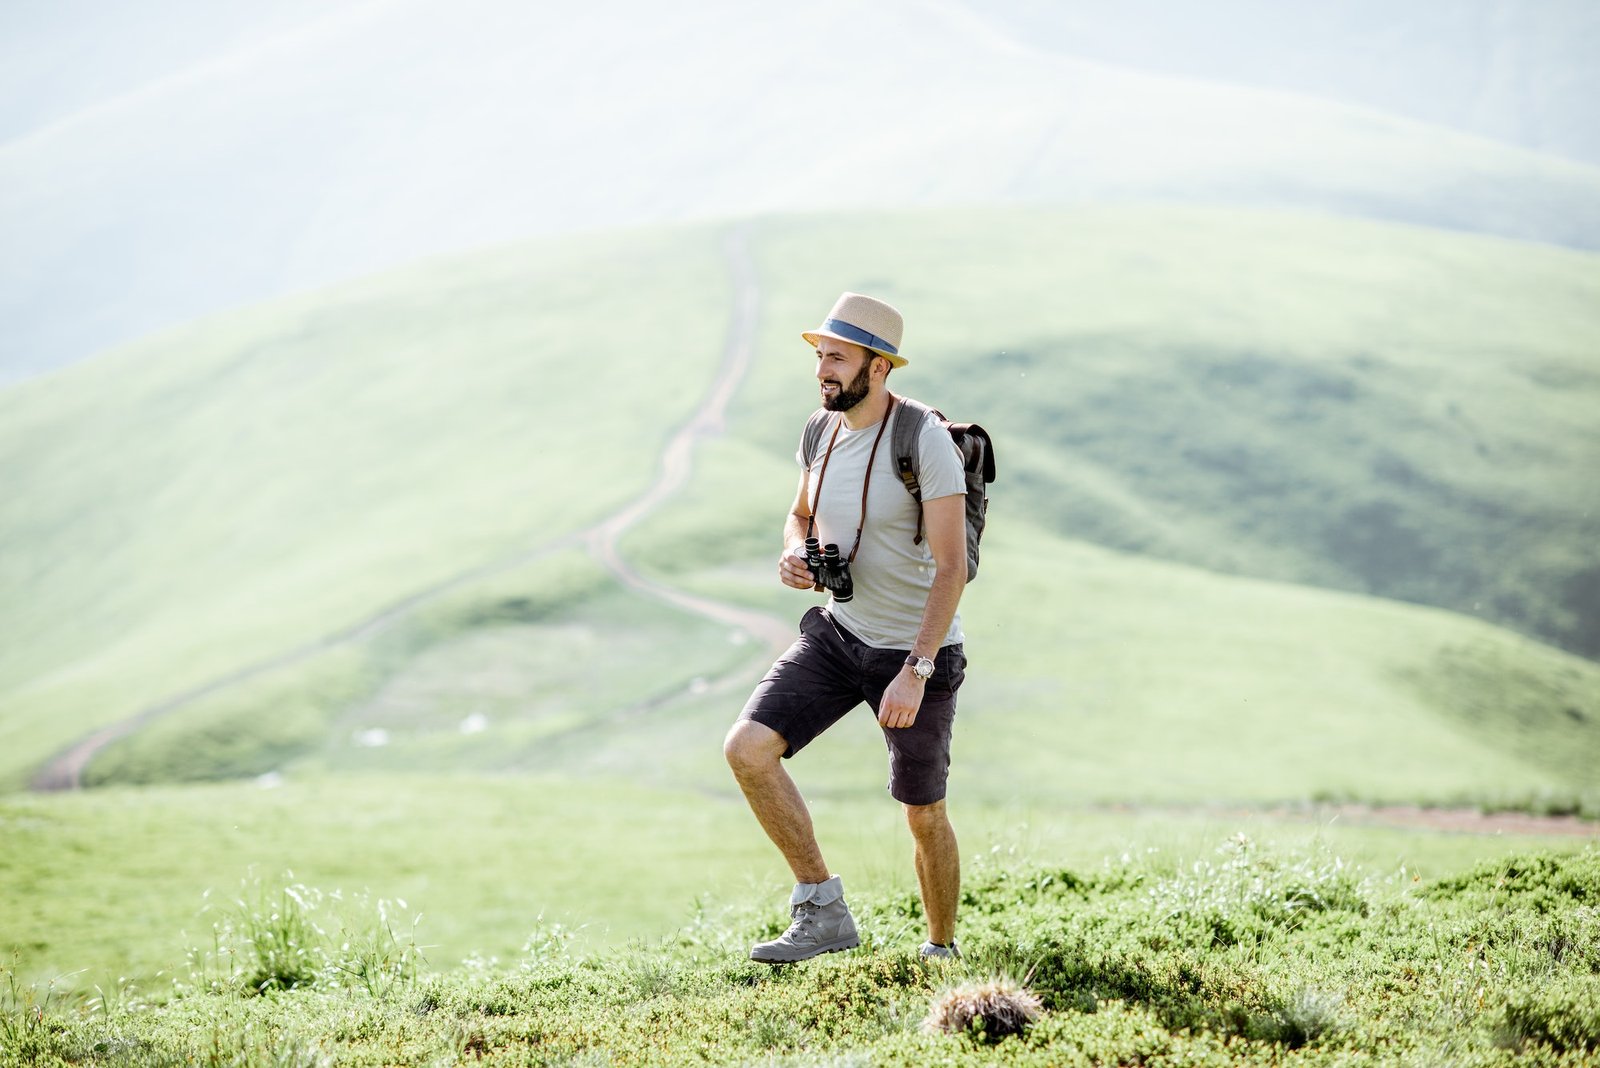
66	770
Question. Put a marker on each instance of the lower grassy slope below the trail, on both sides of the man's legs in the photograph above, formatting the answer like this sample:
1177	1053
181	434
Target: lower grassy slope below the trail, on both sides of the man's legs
1142	682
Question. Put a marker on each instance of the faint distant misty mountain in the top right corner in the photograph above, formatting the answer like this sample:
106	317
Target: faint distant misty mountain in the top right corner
1516	73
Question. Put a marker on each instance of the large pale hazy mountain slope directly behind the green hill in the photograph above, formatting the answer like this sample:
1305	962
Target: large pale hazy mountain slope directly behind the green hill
380	132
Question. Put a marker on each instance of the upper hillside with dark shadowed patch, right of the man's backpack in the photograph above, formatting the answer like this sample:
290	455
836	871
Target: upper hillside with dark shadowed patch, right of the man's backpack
1372	408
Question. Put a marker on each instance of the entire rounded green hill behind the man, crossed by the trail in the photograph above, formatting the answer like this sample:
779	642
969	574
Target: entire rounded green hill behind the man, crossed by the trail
1268	396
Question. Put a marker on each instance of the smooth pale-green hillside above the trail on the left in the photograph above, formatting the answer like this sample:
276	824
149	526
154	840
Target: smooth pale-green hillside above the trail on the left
225	493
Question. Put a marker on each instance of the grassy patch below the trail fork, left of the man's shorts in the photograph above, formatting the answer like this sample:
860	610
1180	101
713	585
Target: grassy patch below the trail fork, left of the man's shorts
486	679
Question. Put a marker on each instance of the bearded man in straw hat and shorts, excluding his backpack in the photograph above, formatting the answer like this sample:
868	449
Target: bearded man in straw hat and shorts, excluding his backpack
895	645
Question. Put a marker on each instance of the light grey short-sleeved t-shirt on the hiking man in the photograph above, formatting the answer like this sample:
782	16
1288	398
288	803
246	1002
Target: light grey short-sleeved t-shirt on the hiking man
892	575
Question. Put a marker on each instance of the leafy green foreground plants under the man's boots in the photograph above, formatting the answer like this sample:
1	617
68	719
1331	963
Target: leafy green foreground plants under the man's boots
1236	952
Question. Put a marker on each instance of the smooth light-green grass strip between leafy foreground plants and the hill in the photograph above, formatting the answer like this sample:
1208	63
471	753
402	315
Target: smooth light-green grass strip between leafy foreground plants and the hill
111	883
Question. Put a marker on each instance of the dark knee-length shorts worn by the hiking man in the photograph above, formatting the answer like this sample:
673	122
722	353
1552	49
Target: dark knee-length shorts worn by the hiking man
828	672
